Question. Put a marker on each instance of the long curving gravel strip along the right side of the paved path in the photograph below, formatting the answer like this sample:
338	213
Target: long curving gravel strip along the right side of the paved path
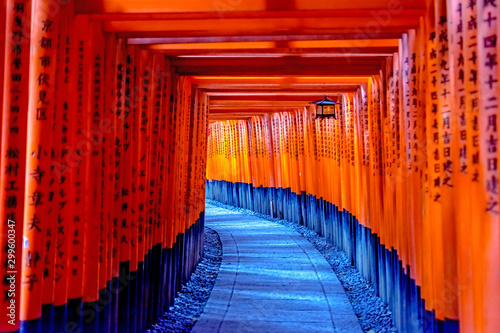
373	314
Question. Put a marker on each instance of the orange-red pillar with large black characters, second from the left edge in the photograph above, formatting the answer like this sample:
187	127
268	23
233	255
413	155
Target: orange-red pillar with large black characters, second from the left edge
37	224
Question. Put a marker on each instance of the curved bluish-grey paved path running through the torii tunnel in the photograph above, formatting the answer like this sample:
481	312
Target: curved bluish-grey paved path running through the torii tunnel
271	280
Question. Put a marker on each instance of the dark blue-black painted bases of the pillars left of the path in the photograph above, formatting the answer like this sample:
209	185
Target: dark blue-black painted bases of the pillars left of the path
134	300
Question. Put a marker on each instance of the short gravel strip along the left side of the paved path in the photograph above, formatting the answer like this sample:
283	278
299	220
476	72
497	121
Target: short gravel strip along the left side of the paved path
193	297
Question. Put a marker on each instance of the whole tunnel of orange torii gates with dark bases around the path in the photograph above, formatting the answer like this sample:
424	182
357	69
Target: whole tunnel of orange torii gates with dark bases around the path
119	117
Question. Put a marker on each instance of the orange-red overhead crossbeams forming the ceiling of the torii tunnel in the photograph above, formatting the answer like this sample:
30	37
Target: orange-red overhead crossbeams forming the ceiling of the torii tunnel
254	57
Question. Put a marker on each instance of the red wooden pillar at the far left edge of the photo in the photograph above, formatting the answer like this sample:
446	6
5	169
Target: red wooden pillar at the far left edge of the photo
15	95
